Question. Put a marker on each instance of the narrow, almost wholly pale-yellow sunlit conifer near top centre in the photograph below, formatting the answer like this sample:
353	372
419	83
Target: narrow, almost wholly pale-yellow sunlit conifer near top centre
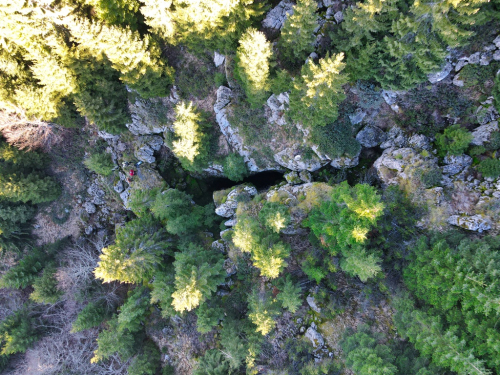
252	59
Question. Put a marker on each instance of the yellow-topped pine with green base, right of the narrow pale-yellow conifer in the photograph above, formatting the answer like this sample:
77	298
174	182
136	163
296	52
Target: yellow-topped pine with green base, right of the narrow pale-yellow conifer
315	96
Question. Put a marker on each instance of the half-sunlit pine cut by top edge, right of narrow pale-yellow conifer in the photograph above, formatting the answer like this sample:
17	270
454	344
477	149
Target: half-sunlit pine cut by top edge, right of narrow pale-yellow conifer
297	35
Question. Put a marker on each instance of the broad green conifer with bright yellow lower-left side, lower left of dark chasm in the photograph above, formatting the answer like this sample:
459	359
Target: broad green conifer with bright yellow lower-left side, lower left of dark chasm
136	254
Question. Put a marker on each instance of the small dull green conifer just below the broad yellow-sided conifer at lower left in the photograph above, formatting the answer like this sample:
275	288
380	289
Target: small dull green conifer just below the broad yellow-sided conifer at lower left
134	311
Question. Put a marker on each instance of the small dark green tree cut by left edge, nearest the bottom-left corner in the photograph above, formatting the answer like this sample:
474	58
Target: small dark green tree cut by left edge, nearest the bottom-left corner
17	332
